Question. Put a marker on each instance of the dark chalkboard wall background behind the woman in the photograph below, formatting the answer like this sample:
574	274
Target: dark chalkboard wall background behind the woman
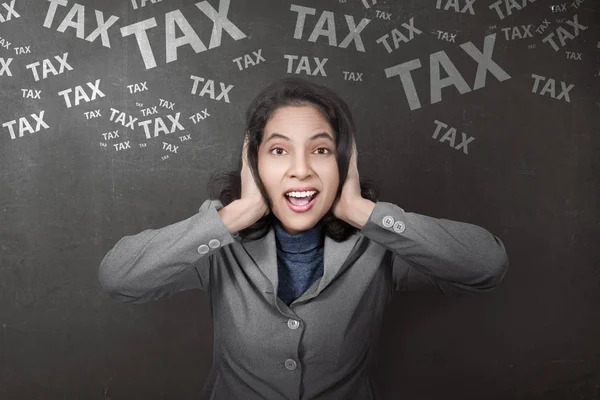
69	191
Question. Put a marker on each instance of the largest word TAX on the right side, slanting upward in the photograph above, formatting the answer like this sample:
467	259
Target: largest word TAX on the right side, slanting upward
454	78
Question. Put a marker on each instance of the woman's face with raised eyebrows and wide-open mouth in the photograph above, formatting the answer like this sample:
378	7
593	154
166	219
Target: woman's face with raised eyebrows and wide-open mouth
290	157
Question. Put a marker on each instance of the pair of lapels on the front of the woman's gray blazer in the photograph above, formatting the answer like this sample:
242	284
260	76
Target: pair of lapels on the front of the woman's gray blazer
264	253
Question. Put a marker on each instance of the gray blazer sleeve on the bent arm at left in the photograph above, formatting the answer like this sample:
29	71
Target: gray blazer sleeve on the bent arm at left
156	263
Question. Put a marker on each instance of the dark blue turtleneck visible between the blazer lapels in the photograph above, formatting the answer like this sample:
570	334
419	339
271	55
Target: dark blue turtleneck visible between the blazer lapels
299	260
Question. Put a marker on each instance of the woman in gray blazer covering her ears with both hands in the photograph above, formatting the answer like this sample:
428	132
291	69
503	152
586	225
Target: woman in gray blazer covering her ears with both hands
298	257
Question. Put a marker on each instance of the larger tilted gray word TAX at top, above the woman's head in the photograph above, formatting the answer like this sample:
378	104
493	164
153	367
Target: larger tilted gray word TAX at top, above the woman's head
327	19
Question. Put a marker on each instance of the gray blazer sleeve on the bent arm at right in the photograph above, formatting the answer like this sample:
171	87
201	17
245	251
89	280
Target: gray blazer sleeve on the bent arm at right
450	256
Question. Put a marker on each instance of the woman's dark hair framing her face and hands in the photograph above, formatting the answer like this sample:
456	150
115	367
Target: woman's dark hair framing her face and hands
293	91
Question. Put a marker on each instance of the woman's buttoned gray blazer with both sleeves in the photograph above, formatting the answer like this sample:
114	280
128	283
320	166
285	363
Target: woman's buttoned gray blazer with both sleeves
320	346
